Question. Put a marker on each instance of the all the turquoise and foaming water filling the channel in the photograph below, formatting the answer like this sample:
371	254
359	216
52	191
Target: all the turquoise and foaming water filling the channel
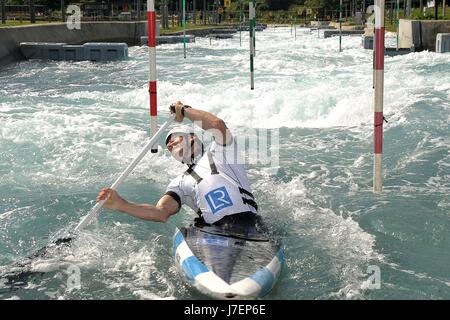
69	129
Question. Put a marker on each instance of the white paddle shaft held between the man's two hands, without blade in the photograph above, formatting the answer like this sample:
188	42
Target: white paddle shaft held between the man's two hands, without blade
95	210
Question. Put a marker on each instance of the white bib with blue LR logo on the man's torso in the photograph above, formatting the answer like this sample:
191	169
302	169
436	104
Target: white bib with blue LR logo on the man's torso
218	196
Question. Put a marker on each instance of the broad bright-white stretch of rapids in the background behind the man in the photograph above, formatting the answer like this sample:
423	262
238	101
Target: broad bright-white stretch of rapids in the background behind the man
303	83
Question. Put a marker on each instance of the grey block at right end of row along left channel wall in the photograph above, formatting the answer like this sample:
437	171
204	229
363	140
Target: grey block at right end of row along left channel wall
99	51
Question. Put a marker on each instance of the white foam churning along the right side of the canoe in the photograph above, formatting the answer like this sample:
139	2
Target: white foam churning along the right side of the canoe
349	249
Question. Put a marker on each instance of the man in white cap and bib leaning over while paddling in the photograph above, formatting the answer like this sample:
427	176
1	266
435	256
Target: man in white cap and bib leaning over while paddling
215	184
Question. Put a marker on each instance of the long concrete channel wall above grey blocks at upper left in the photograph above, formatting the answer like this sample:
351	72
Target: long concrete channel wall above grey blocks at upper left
10	38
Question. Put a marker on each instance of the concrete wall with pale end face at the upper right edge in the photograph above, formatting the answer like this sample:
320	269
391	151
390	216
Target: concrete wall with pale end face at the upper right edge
421	34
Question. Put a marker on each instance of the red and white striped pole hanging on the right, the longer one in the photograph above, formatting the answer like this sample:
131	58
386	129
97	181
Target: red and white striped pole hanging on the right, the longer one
379	95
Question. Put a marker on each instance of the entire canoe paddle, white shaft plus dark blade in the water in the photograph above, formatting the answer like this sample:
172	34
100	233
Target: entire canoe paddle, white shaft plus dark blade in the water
19	276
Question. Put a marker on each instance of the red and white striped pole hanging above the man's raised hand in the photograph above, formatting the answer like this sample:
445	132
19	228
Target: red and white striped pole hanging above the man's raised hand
151	33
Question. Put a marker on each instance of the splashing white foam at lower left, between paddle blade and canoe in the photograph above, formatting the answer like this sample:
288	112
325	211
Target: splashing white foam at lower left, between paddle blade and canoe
115	258
